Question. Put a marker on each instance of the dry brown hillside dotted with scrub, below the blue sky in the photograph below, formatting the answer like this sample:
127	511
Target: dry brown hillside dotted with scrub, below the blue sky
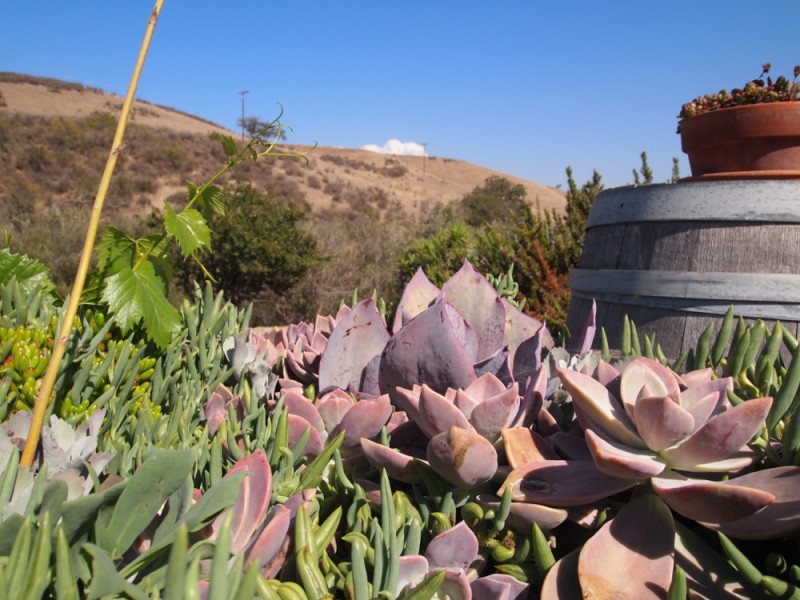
365	208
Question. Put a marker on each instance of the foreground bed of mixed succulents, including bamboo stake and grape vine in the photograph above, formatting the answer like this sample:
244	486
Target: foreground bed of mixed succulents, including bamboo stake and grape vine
450	449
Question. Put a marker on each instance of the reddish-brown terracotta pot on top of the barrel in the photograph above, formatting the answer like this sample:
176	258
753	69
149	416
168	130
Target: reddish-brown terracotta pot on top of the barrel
758	141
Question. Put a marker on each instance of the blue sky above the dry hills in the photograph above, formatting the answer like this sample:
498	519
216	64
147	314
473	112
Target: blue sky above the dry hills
524	87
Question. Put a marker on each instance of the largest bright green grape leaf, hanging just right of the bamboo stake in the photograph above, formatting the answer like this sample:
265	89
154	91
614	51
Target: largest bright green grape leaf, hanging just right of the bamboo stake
138	295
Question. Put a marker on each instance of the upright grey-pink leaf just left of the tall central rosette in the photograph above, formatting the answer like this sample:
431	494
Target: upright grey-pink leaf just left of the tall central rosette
355	342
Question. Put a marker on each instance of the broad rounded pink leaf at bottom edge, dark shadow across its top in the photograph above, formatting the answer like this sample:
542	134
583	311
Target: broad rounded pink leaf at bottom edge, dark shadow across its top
630	556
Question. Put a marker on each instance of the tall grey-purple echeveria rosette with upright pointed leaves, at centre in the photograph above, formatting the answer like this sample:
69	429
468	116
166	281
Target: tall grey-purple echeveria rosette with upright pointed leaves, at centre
447	337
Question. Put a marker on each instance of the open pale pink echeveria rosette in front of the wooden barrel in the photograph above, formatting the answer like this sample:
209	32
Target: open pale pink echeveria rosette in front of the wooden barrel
655	425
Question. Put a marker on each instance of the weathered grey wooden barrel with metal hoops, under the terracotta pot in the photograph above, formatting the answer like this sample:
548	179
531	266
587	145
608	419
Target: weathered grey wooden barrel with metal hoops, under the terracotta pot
675	257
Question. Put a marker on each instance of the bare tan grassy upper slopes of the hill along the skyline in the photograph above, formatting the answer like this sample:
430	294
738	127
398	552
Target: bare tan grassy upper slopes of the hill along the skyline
406	182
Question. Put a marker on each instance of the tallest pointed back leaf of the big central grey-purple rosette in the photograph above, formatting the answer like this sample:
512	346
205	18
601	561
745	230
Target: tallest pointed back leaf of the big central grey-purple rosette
477	300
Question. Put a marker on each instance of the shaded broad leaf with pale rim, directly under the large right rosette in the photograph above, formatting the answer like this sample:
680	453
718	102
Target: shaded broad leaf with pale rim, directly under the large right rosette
713	501
